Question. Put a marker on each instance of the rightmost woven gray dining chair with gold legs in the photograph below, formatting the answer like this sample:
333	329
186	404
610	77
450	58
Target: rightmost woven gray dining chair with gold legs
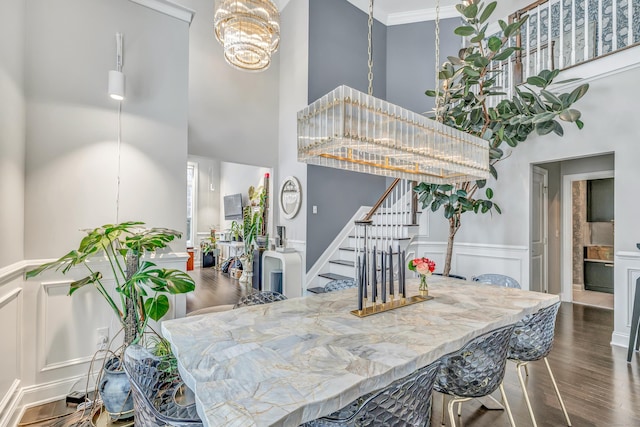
532	340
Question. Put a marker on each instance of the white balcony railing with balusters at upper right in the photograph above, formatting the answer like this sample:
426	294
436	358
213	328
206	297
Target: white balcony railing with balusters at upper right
564	33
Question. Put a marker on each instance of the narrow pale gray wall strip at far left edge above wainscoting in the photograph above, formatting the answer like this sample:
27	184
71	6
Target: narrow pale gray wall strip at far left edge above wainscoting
12	132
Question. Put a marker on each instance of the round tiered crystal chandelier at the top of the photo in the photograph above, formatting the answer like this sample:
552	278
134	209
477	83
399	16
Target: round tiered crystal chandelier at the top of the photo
249	31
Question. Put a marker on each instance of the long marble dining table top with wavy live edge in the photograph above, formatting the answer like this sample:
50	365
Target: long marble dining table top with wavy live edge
292	361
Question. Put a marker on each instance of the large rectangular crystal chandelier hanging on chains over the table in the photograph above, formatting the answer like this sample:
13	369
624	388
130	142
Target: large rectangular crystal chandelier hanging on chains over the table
348	129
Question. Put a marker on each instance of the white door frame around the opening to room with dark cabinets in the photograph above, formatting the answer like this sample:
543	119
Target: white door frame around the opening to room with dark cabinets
566	285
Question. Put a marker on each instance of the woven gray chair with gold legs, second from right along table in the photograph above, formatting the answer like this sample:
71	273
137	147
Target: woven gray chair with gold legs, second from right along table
476	370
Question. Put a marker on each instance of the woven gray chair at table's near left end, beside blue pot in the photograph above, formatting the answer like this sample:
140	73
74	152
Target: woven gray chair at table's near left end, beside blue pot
155	392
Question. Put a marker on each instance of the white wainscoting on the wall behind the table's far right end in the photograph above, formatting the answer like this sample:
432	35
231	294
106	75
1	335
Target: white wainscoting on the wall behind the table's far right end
471	259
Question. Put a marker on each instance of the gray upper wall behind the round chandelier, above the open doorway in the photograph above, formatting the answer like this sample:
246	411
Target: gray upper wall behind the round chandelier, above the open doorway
233	114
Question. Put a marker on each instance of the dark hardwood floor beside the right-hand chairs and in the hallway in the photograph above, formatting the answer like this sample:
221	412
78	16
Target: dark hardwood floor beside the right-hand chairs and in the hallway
598	386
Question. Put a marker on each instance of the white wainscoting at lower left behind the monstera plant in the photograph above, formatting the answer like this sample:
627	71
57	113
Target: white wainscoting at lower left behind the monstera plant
52	336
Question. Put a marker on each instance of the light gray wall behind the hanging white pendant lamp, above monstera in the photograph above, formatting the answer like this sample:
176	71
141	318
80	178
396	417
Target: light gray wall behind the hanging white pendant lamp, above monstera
72	124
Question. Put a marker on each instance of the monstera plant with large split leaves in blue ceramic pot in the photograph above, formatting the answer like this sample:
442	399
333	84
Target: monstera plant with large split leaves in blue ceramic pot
141	290
